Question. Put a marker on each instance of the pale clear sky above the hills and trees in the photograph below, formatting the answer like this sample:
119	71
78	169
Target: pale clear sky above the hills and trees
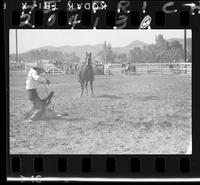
29	39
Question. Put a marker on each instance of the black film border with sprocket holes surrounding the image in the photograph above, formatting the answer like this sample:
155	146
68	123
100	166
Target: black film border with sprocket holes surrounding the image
122	167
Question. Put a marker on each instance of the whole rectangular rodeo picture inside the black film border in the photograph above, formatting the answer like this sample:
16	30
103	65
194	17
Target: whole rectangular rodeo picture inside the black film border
100	91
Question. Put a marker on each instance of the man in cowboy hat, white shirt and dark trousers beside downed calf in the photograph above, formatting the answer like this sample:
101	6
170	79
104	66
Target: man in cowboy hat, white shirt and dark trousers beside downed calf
34	79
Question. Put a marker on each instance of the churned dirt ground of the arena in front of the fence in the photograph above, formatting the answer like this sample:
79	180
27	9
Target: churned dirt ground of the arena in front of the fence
129	114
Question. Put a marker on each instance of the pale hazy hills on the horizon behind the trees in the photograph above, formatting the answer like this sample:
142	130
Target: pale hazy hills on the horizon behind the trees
49	52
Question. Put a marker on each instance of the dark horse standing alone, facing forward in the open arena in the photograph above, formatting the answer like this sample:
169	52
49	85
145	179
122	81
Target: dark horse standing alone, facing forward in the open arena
86	74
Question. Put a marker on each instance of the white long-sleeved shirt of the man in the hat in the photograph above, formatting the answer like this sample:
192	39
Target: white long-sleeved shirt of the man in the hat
33	79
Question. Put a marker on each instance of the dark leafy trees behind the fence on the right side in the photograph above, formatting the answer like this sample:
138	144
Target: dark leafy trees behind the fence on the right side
162	51
